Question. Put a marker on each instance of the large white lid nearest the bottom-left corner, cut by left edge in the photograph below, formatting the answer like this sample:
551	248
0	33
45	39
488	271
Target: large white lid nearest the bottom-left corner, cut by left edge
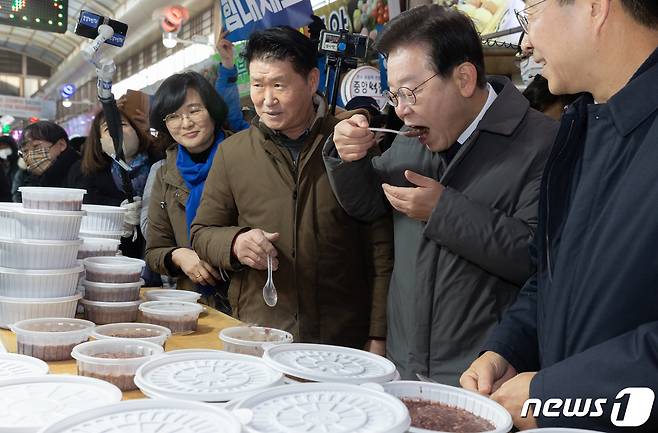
30	403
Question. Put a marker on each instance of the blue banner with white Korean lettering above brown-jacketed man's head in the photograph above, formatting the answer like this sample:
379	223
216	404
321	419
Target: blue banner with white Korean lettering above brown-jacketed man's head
242	17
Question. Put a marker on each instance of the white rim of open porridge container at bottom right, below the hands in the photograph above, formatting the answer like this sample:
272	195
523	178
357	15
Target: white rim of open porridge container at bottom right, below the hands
455	397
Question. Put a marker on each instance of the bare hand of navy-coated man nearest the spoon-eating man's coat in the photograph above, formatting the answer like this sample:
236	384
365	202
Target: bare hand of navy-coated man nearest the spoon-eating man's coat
487	373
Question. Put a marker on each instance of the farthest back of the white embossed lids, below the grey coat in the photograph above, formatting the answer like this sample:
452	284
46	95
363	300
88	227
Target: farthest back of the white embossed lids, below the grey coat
325	363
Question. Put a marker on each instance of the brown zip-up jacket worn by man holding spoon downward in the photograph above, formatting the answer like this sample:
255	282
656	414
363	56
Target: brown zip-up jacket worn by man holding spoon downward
334	271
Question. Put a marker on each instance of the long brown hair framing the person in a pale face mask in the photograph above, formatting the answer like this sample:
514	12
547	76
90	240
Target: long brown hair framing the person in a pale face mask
93	158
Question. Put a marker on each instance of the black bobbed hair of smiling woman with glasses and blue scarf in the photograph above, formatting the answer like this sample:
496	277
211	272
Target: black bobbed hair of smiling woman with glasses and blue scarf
171	95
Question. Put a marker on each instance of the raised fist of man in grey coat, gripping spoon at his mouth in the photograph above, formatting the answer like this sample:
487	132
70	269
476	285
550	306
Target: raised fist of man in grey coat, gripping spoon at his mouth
353	138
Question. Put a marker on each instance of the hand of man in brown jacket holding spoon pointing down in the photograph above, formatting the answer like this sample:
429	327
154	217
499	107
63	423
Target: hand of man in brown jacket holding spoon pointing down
252	248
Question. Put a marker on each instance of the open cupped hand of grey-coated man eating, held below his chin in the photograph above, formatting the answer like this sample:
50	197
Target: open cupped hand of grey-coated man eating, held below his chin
415	202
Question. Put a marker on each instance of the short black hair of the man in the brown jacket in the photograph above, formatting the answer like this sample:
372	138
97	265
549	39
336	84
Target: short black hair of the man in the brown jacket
282	43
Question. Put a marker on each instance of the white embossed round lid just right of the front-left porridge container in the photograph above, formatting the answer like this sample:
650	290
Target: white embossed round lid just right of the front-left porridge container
206	376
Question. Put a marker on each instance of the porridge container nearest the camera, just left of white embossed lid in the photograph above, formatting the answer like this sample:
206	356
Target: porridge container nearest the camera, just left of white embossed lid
114	360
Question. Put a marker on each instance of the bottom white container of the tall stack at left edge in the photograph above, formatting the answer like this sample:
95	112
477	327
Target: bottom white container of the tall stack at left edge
14	310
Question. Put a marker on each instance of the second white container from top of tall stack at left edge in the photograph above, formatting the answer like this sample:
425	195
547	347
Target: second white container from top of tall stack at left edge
19	223
